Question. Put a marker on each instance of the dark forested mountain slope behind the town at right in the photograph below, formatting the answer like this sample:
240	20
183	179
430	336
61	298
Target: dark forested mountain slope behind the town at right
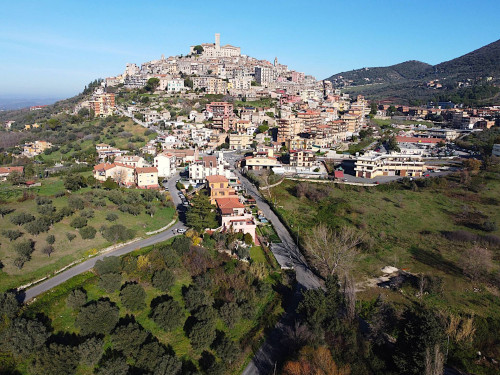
472	79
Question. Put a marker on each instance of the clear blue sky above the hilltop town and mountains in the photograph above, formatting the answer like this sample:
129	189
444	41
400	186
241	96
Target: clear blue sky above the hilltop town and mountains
53	48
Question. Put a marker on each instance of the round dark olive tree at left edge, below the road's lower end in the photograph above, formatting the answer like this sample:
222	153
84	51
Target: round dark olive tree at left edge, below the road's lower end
24	336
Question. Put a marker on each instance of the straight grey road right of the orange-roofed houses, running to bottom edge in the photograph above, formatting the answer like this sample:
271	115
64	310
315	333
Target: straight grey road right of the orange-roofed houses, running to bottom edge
273	350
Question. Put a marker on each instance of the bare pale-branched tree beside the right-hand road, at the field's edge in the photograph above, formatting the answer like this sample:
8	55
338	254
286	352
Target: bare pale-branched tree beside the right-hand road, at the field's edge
331	251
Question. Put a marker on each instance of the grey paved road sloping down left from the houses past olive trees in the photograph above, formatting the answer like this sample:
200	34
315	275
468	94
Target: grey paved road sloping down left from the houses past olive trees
89	264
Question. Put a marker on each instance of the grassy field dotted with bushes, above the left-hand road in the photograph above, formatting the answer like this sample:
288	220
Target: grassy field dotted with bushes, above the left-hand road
65	252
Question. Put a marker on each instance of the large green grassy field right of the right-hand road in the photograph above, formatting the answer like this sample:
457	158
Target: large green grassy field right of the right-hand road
406	229
